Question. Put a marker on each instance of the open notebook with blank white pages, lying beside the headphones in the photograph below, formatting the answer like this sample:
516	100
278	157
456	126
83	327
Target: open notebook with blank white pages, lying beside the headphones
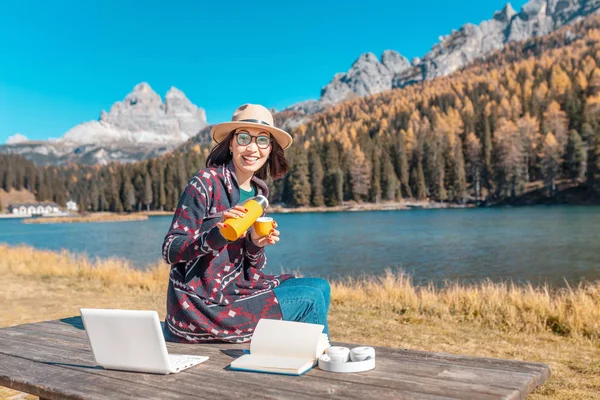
283	347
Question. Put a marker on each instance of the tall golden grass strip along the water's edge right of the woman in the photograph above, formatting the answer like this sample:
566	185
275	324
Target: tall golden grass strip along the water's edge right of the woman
503	306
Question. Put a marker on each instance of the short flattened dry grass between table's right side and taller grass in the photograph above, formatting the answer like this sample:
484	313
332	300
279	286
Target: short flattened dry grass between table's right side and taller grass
575	362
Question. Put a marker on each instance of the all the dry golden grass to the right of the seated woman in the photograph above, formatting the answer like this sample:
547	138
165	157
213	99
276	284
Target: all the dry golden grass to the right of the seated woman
557	327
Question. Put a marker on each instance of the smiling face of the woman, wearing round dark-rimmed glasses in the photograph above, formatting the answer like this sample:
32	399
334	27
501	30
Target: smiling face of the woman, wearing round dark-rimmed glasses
248	156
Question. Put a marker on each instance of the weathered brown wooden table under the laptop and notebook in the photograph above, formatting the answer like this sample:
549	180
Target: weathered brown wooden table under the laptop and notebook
53	360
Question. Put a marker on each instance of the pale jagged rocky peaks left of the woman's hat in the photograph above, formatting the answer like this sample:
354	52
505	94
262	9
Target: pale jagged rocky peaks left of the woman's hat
138	127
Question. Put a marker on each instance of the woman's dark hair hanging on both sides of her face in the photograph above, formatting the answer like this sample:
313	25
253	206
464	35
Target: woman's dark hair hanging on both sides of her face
276	164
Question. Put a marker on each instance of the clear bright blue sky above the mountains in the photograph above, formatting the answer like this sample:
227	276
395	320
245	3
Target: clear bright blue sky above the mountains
62	62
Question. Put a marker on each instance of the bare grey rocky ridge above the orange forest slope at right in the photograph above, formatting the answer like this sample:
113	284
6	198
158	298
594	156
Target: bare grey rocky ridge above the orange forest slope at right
370	75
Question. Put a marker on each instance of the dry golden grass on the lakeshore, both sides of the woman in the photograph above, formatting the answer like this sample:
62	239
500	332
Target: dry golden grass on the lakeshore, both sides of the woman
536	324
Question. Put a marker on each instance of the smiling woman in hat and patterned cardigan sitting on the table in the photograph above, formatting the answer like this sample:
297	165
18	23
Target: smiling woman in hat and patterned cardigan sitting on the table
216	288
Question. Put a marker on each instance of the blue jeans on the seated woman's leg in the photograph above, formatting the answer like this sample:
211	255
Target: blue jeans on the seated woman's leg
304	300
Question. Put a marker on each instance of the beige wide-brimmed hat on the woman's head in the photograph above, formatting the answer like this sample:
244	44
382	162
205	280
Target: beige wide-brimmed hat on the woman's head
251	115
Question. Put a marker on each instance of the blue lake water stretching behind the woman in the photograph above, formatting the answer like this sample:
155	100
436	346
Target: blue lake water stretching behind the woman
536	244
